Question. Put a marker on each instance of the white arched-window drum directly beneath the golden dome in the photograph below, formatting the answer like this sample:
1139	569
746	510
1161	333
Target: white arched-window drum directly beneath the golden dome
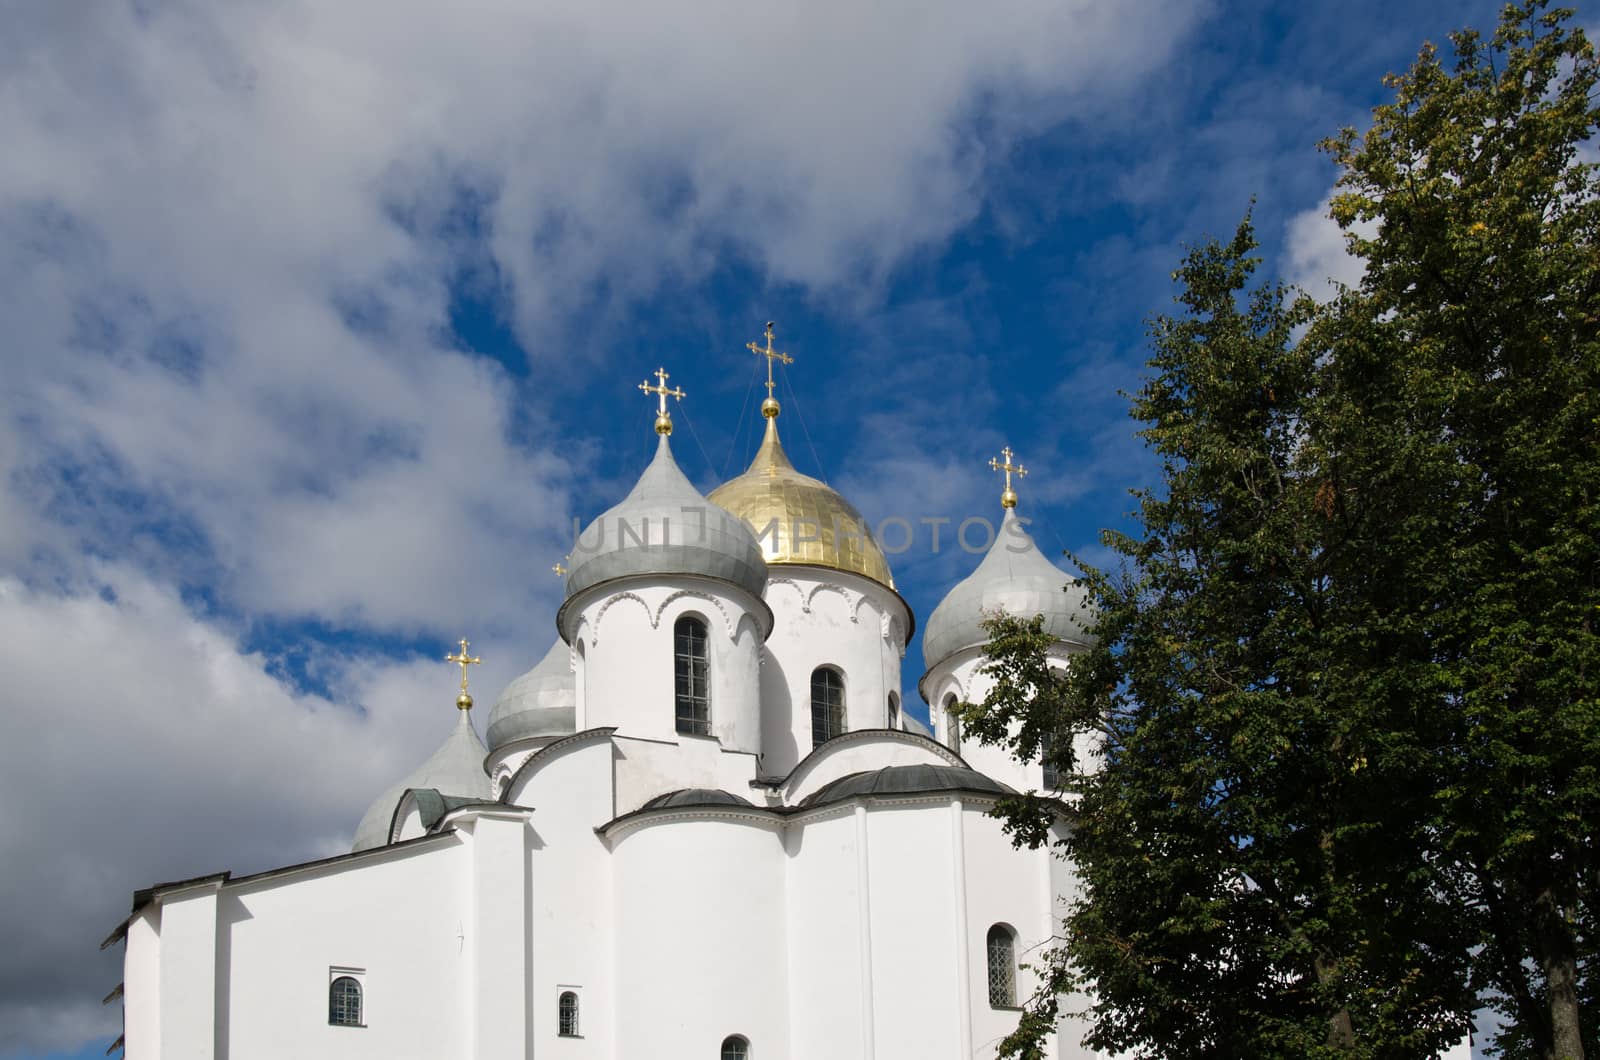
826	619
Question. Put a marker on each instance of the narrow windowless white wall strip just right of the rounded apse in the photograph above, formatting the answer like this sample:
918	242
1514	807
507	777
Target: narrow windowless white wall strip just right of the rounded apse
826	990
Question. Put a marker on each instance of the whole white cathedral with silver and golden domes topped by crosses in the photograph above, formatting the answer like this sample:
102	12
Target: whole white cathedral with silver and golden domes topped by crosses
702	827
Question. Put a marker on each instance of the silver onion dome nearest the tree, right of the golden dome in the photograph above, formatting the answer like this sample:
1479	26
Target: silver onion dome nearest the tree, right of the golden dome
1015	579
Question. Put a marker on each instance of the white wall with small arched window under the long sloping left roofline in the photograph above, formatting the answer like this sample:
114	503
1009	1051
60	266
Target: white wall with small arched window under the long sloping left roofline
399	918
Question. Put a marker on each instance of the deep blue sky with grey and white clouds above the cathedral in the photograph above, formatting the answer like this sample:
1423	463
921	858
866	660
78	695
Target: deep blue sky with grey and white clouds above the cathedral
324	323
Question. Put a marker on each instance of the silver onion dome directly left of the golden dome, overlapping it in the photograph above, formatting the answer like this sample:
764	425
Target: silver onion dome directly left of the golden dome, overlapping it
666	528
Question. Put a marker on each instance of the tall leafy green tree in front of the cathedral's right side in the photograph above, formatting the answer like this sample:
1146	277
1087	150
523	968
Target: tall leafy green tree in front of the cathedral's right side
1346	675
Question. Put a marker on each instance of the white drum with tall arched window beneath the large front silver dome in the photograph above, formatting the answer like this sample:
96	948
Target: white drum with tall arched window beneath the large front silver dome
628	681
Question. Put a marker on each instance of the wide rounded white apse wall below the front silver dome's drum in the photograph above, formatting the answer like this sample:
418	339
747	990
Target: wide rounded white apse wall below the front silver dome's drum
700	941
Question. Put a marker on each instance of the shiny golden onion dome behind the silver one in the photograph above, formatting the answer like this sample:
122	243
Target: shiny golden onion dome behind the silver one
799	520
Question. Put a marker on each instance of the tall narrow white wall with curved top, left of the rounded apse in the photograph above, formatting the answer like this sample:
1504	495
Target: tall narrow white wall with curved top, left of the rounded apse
570	923
